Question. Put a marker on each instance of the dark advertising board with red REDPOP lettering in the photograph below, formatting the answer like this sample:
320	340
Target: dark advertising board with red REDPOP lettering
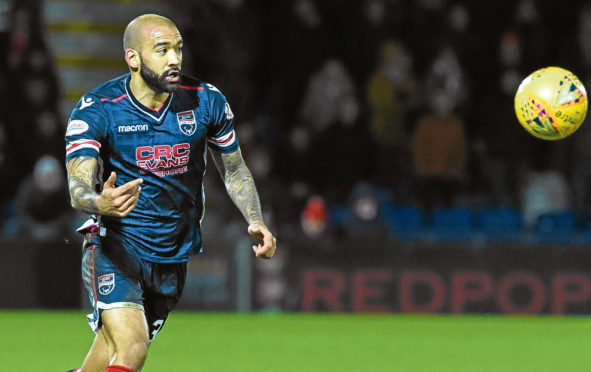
431	279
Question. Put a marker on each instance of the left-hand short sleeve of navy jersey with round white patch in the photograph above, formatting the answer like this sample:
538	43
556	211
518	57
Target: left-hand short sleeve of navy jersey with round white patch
86	128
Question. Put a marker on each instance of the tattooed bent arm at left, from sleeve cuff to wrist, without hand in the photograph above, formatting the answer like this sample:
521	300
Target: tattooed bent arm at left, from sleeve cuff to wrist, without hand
81	181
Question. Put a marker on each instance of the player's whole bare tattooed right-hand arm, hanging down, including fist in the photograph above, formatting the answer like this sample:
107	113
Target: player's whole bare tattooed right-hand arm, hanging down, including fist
242	190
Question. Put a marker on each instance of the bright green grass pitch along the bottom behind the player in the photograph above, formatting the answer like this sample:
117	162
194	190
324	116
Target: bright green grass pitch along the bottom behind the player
56	341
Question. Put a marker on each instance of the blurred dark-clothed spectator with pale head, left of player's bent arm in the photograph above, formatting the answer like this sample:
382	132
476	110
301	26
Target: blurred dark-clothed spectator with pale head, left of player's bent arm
43	205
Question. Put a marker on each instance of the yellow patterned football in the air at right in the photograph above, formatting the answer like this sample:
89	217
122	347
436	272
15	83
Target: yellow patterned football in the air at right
551	103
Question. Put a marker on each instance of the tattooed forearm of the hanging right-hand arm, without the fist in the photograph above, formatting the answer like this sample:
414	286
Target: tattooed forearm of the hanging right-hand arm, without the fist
241	187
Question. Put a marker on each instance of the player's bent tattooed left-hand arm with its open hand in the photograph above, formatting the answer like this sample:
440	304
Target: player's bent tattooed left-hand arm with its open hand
114	201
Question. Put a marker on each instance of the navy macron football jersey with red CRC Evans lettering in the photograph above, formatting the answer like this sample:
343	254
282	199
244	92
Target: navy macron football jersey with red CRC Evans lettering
166	147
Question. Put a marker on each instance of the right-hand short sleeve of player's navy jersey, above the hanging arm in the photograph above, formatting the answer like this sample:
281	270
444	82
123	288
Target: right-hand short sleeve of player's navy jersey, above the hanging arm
221	135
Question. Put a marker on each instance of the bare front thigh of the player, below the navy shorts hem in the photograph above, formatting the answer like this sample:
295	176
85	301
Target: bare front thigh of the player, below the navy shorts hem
127	335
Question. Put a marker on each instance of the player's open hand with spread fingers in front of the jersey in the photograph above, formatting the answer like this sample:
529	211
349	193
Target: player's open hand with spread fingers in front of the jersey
118	201
